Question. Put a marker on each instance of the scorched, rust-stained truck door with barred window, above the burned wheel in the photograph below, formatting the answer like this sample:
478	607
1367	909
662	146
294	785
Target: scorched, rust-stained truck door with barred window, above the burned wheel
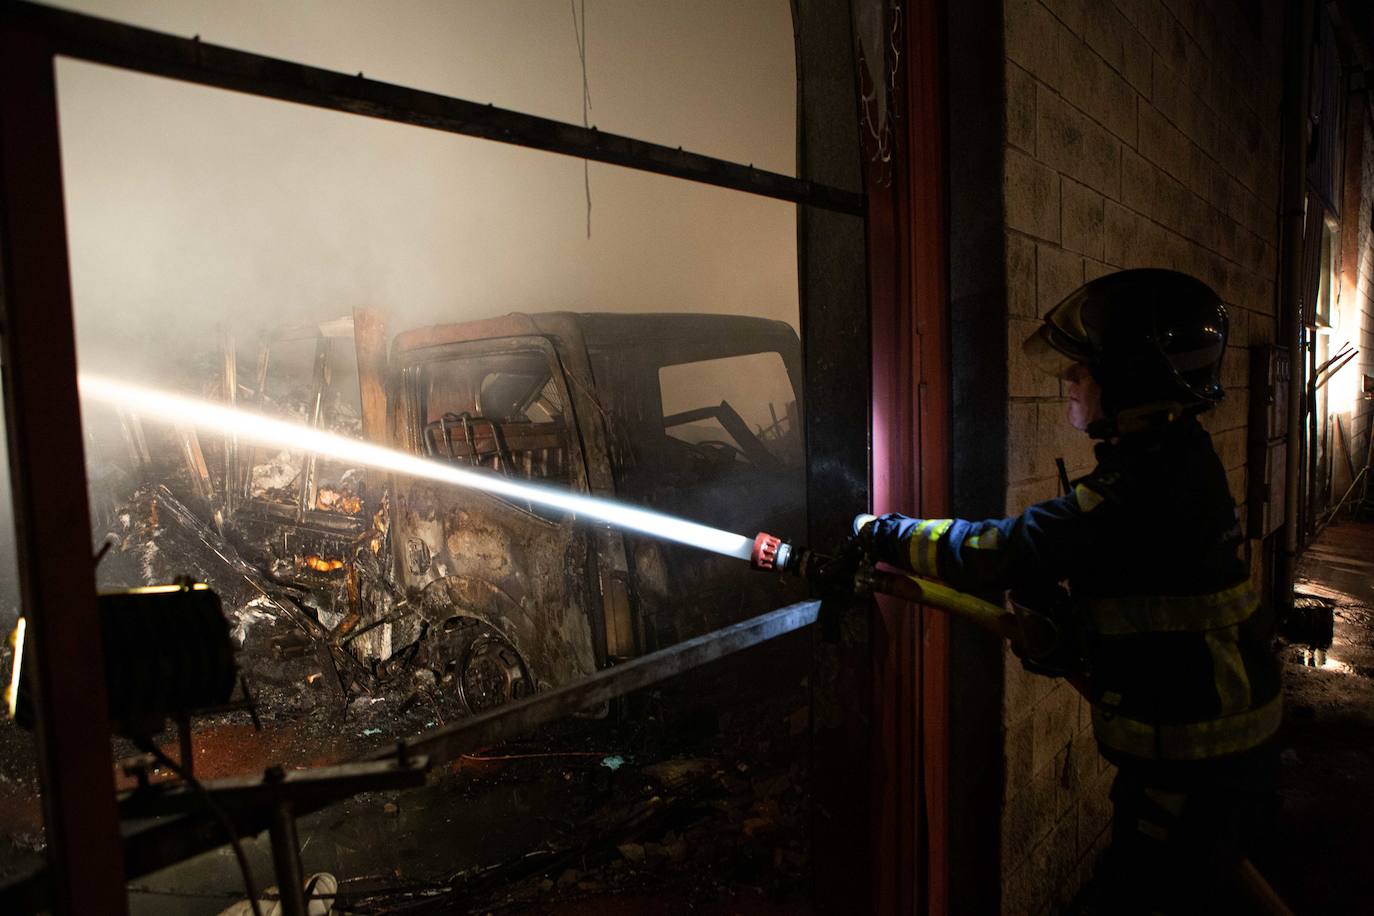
501	586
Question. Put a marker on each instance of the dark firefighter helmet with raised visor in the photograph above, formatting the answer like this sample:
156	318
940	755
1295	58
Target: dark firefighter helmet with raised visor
1148	336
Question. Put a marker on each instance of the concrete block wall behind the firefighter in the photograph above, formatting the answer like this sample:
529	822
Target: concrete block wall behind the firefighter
1138	134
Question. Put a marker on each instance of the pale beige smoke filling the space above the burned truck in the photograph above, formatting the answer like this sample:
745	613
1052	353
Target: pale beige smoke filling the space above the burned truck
192	209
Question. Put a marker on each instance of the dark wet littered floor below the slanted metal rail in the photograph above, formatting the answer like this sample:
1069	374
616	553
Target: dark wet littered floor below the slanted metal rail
692	799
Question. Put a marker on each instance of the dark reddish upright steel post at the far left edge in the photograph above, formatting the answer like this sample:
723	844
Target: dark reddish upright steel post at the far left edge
64	659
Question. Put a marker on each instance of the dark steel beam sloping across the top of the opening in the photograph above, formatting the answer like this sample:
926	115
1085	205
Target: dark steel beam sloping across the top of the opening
190	60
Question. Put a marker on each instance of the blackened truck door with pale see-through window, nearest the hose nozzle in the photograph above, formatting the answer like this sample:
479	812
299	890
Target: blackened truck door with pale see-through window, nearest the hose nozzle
706	424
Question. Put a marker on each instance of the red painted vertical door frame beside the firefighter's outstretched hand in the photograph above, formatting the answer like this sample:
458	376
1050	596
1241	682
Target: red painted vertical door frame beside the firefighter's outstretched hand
912	435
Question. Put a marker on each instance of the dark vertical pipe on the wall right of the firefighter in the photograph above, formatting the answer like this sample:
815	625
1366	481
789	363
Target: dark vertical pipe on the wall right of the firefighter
1295	185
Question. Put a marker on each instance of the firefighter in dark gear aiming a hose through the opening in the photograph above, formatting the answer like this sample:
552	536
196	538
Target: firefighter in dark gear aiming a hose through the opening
1137	579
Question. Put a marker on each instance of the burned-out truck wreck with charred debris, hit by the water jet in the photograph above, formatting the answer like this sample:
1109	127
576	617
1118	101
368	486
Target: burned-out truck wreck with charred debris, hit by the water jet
491	598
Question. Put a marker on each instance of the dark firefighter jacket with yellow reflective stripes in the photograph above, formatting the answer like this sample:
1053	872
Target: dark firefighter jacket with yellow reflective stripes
1177	656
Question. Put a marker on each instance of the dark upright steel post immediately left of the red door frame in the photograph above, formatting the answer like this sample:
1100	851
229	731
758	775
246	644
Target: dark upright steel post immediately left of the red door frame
832	263
